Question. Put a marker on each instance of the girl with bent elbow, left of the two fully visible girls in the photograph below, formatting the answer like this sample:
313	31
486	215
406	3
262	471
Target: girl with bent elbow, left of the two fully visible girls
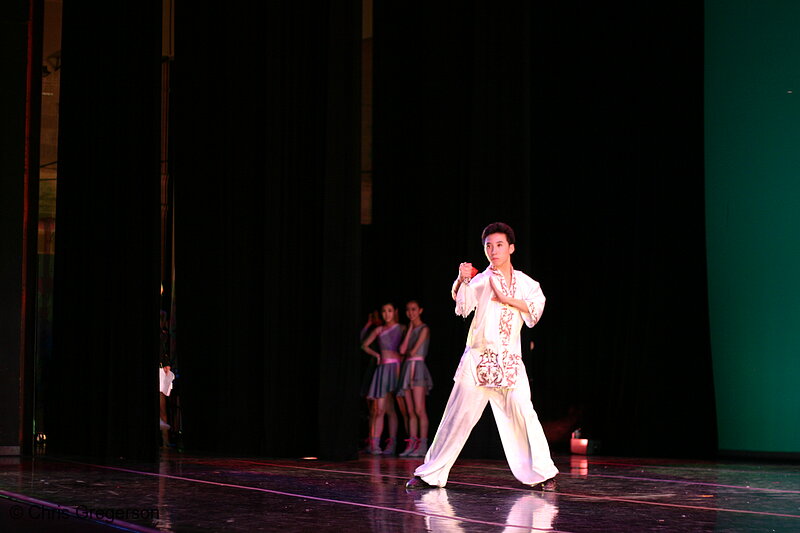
385	380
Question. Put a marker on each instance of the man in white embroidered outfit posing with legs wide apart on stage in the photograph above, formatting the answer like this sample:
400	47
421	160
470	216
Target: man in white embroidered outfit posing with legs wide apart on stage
491	369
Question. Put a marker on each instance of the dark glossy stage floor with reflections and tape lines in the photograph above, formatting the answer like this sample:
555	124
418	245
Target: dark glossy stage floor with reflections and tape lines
187	493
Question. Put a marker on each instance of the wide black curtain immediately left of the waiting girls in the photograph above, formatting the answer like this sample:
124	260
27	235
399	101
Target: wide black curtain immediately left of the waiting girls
265	160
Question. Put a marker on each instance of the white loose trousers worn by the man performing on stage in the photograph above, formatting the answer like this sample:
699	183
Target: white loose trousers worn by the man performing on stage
521	433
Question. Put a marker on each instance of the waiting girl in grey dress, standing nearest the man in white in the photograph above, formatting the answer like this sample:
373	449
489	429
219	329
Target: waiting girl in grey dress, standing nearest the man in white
415	380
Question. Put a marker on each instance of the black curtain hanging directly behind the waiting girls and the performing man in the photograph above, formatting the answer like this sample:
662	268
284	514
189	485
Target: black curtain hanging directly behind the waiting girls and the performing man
451	154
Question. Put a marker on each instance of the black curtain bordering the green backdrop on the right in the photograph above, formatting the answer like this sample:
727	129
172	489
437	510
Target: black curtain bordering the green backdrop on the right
623	228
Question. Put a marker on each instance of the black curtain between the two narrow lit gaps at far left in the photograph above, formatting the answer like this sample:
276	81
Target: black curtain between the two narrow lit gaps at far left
102	382
